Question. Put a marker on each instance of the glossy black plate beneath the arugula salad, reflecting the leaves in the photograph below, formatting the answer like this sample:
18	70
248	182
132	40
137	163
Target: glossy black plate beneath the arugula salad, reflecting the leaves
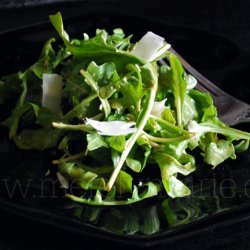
219	198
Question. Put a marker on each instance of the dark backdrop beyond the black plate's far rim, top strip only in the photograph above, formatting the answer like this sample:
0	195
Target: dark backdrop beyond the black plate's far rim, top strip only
225	17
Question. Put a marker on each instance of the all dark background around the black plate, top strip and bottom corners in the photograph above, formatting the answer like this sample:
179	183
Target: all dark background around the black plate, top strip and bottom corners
228	18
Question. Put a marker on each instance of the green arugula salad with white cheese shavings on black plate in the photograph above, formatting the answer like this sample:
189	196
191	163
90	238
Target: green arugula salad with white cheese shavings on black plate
113	111
